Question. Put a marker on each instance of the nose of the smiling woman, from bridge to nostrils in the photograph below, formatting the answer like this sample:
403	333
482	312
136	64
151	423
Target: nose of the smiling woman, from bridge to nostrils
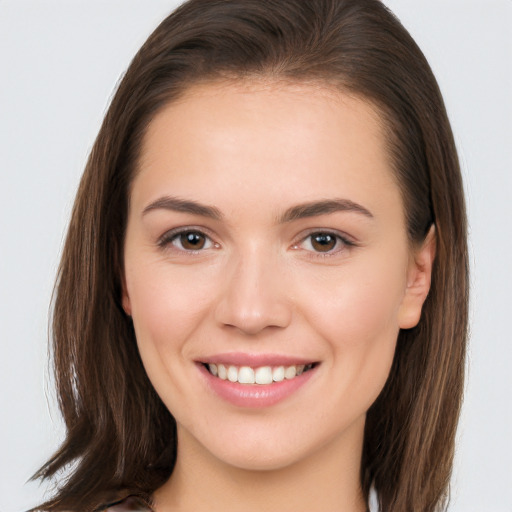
254	296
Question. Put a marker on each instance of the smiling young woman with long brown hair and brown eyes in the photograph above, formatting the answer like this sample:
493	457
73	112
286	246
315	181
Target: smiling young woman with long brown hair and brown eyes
262	300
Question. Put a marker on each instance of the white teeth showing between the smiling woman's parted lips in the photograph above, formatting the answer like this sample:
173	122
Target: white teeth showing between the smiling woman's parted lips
260	375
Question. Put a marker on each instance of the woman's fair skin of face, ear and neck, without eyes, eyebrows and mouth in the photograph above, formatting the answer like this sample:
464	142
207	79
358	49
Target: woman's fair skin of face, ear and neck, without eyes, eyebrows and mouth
259	285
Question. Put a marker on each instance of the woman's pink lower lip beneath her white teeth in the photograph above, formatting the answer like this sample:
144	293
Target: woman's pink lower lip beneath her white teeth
255	395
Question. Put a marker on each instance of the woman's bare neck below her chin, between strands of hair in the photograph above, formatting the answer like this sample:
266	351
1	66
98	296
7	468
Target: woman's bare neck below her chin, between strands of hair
328	479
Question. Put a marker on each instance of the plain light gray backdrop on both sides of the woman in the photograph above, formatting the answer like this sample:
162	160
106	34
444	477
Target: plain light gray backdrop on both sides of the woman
59	63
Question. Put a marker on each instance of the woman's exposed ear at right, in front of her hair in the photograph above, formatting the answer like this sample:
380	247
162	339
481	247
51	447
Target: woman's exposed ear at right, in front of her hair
419	275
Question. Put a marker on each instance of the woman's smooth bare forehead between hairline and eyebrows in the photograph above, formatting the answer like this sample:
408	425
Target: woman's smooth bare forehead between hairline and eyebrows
258	137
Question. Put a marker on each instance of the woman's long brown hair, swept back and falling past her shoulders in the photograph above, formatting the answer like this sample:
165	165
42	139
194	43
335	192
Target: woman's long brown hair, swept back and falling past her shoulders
120	437
